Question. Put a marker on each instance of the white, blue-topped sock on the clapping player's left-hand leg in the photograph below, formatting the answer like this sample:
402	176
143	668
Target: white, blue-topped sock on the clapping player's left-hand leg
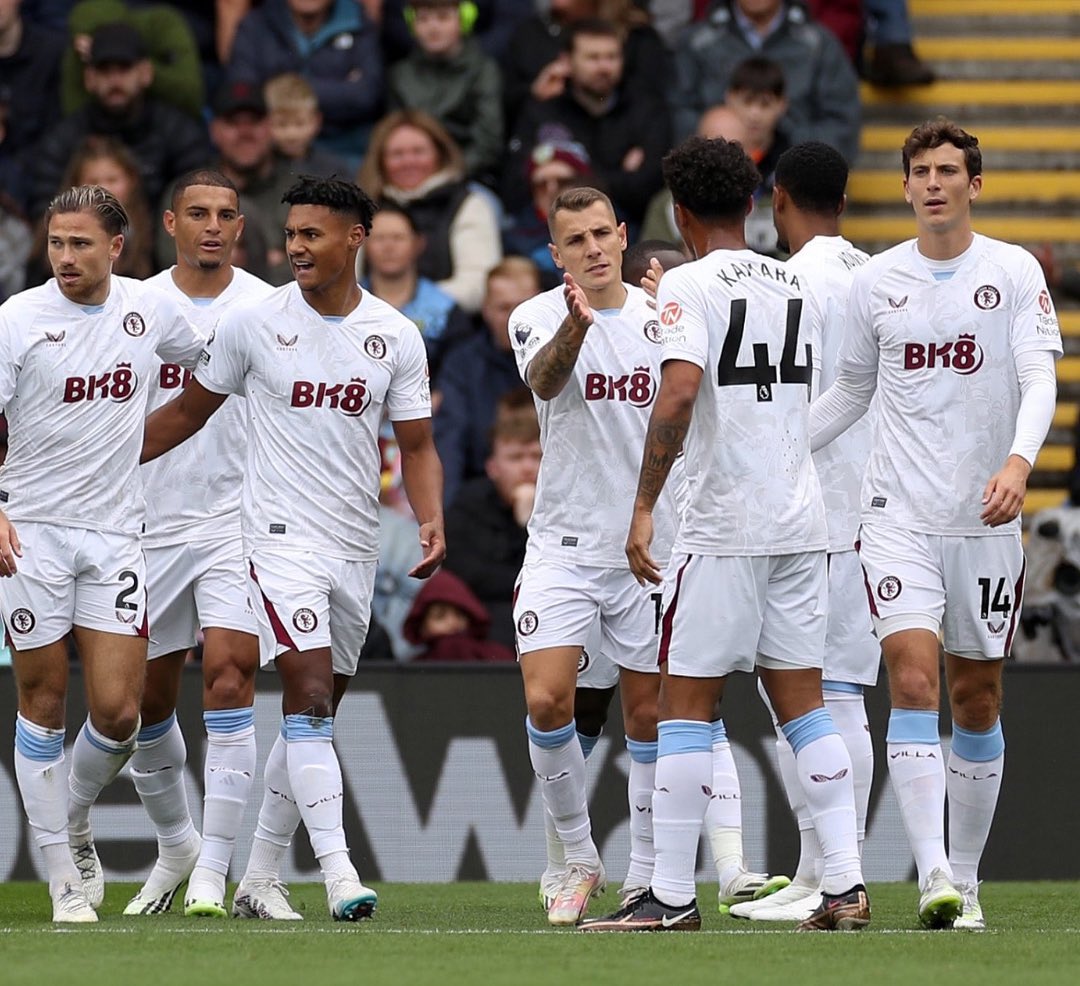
560	766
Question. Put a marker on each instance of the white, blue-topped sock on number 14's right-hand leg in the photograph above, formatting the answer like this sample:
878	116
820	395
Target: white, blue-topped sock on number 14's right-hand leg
976	765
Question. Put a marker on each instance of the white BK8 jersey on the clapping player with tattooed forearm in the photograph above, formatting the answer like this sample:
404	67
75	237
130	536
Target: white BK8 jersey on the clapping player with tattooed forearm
593	434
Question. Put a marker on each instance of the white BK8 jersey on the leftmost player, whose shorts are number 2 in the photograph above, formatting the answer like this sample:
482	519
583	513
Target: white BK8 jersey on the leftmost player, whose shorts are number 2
75	384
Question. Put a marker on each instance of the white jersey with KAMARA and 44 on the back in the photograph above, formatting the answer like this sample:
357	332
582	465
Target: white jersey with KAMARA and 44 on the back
749	323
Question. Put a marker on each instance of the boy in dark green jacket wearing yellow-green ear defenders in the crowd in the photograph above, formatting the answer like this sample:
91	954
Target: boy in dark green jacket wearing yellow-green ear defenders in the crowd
449	76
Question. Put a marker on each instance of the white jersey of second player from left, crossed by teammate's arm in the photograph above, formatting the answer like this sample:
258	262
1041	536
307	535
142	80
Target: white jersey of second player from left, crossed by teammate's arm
193	493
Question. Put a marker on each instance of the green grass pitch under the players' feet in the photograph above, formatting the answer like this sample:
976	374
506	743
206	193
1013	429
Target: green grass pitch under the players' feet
491	934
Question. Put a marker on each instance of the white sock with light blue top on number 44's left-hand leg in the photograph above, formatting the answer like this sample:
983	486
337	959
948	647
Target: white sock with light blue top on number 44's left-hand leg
684	789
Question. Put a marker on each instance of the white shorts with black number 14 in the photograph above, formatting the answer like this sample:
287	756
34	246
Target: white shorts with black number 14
967	589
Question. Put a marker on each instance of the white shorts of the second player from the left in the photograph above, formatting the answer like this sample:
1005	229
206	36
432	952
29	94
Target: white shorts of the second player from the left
196	586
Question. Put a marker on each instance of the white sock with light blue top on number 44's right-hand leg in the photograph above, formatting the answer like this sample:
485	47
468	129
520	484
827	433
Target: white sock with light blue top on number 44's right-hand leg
825	772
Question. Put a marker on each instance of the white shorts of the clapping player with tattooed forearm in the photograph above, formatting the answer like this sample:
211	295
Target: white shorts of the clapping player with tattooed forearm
557	604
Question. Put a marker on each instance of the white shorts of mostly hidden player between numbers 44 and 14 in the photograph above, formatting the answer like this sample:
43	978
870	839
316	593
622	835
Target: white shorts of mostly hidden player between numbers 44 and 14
853	653
